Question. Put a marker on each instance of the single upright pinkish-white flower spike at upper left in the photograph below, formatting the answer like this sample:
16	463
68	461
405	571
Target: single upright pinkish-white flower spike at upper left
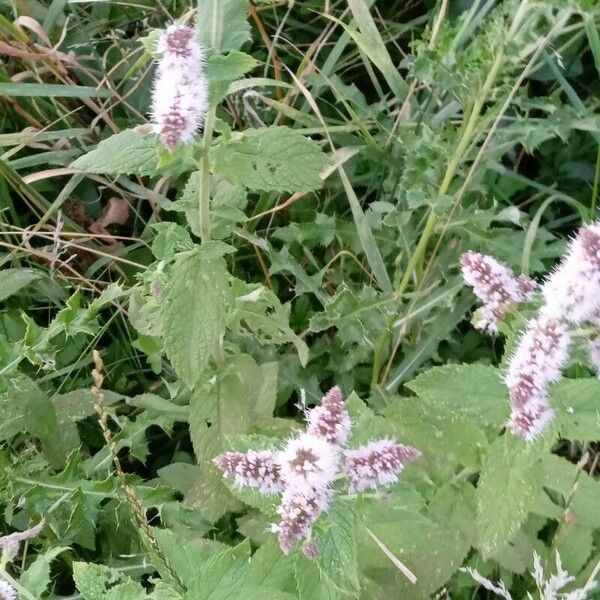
180	96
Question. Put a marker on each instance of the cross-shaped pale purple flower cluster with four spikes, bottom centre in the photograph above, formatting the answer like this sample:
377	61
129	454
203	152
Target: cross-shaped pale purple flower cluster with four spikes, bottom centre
305	469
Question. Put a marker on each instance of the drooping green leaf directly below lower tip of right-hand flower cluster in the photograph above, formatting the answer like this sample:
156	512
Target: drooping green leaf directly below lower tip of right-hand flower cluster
510	480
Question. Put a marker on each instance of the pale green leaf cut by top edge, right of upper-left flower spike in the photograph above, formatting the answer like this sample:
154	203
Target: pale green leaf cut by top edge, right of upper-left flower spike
223	25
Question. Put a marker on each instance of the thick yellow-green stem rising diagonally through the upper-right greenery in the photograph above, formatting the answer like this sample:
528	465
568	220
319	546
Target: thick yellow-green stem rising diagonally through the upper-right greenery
432	220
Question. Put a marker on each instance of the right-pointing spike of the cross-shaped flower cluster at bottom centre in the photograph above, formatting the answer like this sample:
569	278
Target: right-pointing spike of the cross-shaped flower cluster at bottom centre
377	463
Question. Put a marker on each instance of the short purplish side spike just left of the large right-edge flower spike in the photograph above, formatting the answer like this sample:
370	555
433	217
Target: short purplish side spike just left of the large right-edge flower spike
495	285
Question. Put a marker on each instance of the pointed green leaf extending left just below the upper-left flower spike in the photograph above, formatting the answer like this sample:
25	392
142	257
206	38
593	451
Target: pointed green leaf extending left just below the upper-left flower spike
129	152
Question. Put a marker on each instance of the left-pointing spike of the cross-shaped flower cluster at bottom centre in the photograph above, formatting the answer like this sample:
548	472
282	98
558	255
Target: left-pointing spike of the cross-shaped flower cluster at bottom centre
258	469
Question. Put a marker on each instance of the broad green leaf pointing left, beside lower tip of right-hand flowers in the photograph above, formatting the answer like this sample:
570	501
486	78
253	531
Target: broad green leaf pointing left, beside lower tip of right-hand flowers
473	390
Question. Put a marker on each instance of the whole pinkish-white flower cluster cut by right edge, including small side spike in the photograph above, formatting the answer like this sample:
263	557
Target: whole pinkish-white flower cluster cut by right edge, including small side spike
571	297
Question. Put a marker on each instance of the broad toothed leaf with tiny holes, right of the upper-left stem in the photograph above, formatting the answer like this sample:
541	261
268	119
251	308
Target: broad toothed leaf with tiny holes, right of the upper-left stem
276	159
